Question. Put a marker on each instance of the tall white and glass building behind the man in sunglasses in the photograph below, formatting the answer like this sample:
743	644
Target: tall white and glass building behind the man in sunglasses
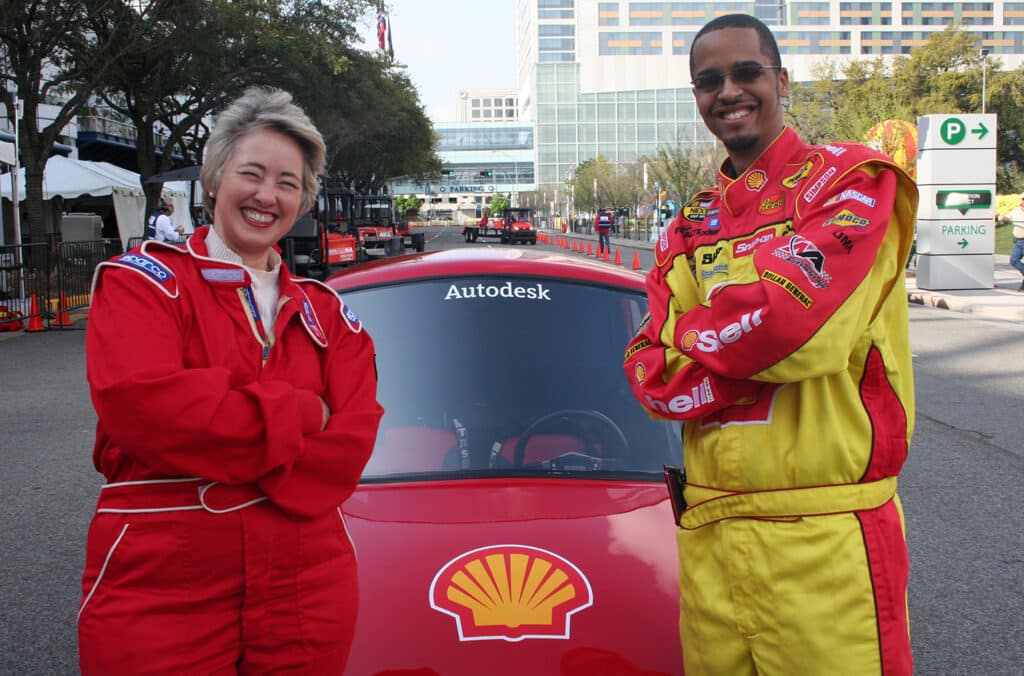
613	78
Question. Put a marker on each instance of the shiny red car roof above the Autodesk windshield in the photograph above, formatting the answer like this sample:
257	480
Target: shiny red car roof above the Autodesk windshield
505	261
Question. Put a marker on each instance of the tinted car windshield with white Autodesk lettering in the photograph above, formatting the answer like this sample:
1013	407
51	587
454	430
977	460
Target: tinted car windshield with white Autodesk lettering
507	376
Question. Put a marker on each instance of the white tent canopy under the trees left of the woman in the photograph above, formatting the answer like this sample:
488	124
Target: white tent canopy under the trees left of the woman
72	179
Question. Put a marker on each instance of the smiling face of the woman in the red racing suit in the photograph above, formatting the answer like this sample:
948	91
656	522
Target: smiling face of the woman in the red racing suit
260	195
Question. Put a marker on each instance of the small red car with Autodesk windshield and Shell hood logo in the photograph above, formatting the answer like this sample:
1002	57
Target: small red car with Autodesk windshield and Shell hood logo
514	519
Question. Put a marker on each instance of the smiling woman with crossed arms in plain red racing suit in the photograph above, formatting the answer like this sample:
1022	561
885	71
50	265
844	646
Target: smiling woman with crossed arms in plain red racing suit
237	409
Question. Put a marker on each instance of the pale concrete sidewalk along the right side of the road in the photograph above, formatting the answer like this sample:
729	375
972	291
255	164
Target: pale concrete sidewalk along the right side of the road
1006	302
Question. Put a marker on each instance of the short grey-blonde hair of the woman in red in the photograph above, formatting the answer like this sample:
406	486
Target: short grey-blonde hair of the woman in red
262	108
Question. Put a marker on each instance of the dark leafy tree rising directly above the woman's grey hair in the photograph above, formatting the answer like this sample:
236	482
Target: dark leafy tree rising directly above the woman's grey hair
186	69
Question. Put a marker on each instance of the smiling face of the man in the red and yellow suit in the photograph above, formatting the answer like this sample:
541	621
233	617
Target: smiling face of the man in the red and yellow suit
746	116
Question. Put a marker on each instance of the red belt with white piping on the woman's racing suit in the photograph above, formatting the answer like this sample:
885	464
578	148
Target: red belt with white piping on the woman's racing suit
177	495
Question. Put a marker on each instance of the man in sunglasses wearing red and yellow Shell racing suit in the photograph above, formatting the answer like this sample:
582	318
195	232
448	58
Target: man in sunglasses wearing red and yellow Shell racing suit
778	331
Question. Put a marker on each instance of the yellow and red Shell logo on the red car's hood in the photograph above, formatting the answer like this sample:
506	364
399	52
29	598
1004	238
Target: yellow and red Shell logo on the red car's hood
510	593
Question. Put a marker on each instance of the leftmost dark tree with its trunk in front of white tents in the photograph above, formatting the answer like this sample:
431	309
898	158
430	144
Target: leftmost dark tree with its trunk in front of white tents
47	59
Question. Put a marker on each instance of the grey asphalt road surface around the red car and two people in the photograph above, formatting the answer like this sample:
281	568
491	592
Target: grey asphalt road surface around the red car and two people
963	490
